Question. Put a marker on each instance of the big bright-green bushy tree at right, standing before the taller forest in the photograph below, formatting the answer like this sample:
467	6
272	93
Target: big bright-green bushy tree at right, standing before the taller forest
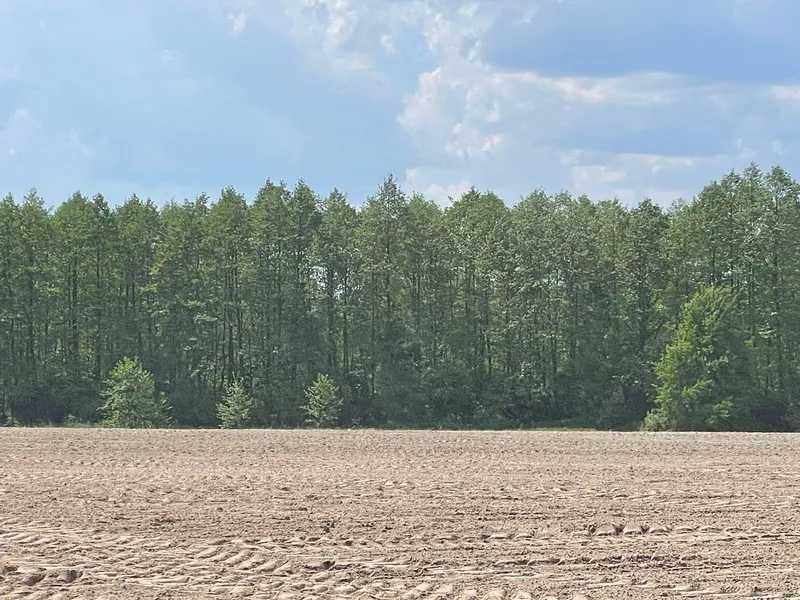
704	376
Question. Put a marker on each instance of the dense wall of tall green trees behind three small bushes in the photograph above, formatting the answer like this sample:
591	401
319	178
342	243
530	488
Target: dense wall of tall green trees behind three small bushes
480	314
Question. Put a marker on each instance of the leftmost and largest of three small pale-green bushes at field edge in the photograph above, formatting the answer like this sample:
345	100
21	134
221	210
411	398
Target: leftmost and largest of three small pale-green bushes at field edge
131	398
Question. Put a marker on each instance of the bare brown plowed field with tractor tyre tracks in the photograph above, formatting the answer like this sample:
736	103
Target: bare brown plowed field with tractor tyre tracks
368	514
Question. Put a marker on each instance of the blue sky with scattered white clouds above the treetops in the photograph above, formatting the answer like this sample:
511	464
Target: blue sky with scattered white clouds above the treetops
171	98
